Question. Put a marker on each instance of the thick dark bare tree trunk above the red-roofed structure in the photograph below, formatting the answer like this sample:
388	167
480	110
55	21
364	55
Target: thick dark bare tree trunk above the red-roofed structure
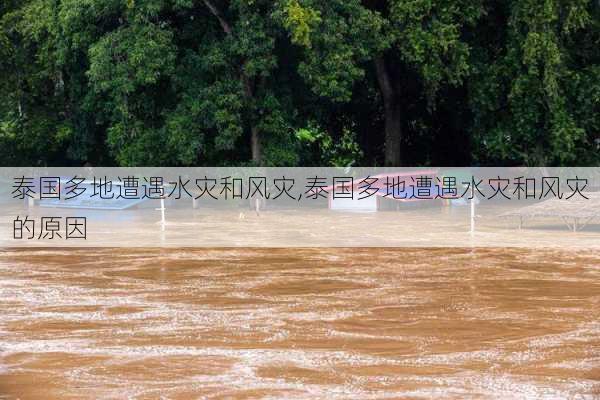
393	115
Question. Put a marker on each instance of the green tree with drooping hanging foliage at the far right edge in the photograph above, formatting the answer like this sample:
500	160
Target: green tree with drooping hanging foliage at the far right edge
536	91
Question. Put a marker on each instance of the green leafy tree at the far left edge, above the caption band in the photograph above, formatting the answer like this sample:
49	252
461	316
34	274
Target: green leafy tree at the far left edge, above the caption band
33	130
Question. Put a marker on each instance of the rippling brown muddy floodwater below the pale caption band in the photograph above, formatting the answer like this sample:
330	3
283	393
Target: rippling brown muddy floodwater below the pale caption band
299	324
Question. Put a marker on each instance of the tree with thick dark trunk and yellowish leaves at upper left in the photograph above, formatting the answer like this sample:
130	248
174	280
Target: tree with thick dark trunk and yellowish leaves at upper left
419	39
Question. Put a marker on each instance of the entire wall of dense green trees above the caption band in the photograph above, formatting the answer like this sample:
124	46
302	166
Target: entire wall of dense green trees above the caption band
300	82
